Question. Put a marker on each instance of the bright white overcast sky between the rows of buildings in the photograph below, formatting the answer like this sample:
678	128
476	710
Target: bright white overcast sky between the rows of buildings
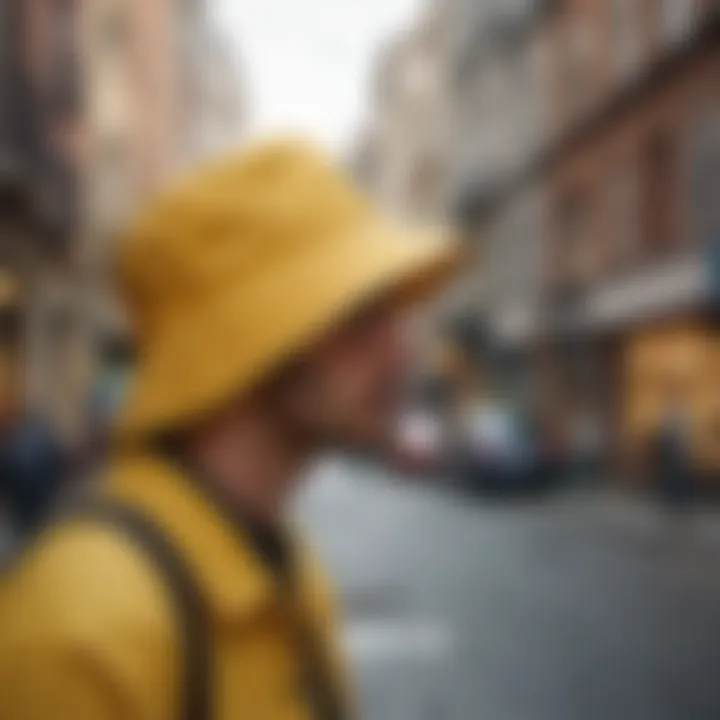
307	62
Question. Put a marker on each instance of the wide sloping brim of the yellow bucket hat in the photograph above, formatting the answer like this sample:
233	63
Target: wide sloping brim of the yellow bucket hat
225	345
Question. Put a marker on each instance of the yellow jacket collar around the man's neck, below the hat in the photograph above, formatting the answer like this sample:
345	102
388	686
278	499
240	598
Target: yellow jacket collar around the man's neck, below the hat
217	549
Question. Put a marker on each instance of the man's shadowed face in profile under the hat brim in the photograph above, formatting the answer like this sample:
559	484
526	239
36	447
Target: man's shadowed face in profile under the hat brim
347	390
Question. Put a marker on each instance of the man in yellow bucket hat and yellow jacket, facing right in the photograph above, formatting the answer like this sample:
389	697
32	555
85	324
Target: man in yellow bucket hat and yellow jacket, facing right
269	303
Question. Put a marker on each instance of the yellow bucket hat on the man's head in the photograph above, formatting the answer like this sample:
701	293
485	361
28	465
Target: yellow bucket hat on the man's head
243	264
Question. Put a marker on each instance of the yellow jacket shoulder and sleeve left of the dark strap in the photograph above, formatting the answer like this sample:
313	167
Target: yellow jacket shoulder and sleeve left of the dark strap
85	612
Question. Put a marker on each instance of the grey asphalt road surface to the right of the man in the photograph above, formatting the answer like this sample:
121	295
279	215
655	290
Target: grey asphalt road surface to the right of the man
581	606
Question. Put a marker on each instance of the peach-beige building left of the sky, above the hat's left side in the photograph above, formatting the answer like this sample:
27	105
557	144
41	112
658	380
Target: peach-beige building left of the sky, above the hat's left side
141	107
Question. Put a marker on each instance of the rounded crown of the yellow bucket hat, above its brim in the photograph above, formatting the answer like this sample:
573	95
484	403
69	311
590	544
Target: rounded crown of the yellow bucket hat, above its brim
227	222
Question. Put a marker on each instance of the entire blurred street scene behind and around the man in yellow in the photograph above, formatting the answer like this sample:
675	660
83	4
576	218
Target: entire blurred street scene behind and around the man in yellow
545	541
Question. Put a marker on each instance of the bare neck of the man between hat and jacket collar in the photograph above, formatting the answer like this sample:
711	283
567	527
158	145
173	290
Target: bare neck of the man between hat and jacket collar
252	462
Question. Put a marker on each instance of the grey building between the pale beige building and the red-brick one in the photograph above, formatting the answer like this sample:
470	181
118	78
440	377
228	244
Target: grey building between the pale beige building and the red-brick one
498	124
